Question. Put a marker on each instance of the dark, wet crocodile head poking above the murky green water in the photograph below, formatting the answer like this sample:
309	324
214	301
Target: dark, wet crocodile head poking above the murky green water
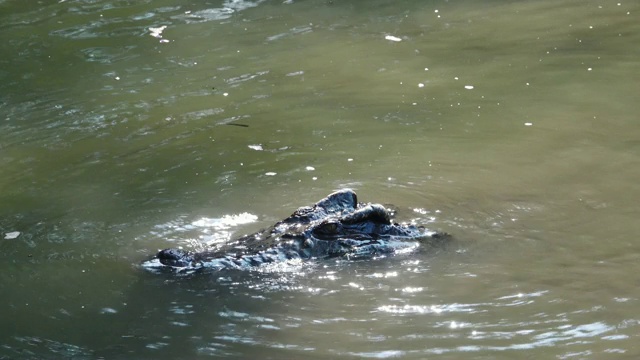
336	226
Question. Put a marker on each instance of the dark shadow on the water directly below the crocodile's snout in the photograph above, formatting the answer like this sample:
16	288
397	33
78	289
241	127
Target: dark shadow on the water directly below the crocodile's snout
172	316
